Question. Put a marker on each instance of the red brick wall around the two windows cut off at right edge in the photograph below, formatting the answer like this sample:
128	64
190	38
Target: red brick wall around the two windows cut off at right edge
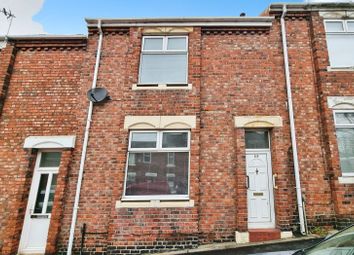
332	83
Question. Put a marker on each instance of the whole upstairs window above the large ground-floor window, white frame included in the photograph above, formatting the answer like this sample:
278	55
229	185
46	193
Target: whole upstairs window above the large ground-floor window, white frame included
164	60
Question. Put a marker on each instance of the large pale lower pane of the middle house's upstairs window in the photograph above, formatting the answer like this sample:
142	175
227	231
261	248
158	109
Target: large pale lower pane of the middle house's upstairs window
163	69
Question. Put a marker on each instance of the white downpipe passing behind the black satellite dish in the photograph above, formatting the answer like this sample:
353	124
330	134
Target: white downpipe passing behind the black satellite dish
84	147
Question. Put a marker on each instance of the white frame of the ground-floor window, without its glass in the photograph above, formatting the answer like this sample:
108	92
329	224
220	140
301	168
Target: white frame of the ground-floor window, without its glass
158	148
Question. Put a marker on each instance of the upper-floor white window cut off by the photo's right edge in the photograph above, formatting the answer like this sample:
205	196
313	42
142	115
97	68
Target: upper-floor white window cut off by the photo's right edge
340	42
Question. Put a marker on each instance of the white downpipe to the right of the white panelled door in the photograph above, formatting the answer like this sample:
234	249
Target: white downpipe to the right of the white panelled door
292	124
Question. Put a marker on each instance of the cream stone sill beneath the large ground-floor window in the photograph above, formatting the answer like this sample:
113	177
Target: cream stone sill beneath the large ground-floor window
154	204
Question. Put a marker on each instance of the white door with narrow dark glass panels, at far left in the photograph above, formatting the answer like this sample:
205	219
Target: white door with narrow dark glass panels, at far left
40	203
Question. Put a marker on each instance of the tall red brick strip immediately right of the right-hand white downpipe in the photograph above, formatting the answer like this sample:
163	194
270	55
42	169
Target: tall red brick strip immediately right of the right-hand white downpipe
315	183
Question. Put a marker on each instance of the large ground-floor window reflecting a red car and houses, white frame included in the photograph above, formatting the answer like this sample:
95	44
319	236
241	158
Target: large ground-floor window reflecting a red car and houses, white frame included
161	169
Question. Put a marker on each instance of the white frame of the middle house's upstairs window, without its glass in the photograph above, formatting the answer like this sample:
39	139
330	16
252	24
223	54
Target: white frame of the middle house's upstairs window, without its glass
164	51
